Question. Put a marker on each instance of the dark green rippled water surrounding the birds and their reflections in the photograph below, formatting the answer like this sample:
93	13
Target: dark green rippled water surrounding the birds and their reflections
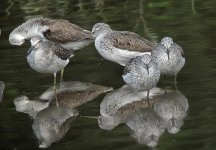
191	23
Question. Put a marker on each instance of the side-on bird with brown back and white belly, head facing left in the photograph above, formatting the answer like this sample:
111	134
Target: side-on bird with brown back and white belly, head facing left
119	46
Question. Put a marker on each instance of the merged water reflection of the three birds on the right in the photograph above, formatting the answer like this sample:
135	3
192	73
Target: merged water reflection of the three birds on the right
167	111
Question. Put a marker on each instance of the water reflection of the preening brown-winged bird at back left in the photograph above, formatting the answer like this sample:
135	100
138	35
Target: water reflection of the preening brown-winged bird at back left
70	94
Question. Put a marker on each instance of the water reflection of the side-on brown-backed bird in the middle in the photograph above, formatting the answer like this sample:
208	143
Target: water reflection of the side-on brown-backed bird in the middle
119	104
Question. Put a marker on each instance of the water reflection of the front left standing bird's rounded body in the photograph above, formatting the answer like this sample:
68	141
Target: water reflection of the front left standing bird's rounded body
52	123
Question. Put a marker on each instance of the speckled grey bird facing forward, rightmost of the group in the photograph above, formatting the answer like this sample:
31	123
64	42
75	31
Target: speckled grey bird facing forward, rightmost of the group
169	56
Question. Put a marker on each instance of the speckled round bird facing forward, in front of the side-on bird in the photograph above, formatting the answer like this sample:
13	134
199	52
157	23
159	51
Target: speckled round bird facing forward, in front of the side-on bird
141	73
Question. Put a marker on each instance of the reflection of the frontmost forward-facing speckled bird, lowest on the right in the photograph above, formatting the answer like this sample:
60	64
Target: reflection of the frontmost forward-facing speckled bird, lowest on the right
146	126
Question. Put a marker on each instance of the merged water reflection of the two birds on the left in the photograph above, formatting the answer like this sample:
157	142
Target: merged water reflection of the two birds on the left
51	123
